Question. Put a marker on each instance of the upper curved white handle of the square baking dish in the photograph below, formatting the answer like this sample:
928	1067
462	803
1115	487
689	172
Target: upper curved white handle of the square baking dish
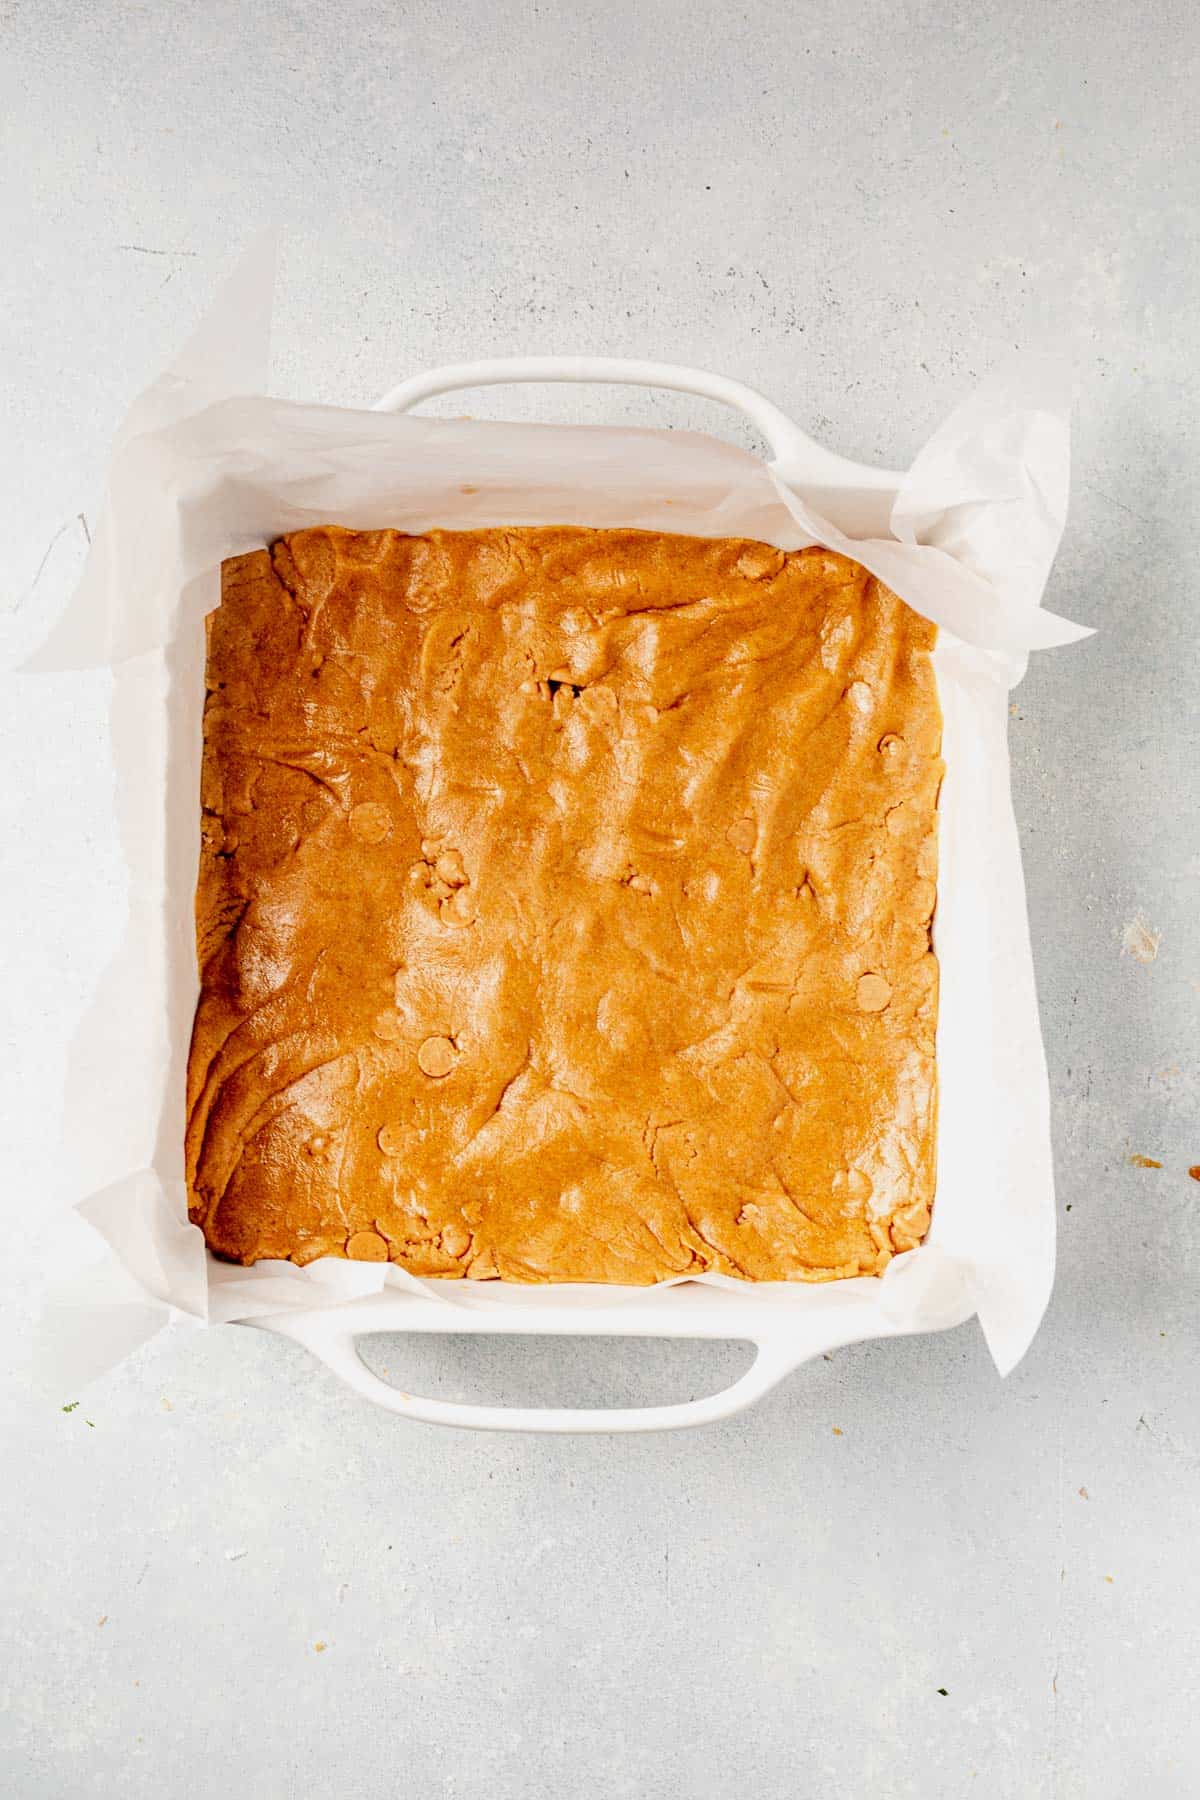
794	456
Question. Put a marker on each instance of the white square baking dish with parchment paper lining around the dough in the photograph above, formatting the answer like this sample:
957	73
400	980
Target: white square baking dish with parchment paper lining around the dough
967	537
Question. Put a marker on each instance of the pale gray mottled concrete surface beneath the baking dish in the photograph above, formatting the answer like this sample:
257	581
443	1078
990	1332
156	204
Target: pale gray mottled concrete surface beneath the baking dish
857	206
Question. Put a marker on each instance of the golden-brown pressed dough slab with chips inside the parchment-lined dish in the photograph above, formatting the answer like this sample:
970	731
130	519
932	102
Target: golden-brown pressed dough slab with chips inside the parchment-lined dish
564	908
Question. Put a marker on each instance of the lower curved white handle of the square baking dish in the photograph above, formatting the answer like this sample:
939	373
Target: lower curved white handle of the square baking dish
334	1342
